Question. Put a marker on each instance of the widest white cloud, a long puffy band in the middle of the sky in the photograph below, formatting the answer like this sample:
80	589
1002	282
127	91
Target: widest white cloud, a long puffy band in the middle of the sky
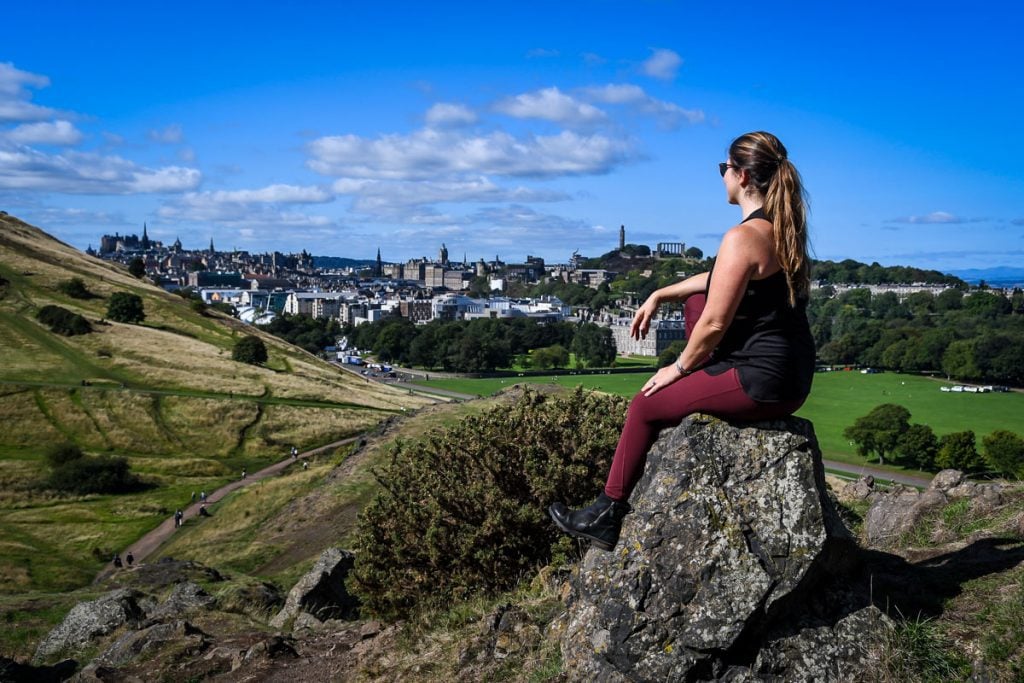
430	154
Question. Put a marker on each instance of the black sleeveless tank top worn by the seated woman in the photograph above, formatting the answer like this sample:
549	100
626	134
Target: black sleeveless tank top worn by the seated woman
769	343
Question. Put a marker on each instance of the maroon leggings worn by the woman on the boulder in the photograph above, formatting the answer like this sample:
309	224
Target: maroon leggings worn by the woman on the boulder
721	396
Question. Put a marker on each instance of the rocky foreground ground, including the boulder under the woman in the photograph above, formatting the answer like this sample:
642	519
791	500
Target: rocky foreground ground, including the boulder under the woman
753	576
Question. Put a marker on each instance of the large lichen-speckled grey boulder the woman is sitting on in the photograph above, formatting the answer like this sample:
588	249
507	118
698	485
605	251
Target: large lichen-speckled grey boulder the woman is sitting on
718	570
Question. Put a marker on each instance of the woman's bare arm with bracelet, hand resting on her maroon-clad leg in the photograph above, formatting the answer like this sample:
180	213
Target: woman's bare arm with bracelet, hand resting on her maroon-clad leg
737	262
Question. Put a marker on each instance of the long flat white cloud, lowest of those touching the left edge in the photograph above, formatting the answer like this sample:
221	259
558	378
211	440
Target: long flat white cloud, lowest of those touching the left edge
89	174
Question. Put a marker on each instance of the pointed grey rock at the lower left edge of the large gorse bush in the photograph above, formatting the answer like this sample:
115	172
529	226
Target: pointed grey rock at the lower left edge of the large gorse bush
322	591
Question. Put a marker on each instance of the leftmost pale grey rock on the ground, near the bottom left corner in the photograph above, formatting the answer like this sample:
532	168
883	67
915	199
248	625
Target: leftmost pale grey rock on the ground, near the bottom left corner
89	621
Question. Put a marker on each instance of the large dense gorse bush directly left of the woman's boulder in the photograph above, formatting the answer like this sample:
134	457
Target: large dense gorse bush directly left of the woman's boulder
463	511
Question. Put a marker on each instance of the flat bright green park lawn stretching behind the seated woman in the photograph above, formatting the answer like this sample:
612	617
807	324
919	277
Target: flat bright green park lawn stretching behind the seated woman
837	400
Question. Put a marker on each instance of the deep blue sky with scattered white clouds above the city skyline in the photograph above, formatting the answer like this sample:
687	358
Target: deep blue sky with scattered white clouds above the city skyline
513	130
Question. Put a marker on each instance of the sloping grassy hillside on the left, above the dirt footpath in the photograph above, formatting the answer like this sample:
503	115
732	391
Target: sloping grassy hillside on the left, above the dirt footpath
164	394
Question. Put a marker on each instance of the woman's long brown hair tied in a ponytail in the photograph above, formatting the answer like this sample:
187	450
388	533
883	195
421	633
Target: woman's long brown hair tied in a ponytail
764	158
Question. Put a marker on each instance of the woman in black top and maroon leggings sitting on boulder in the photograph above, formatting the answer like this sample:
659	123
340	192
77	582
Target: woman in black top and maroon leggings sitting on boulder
750	354
